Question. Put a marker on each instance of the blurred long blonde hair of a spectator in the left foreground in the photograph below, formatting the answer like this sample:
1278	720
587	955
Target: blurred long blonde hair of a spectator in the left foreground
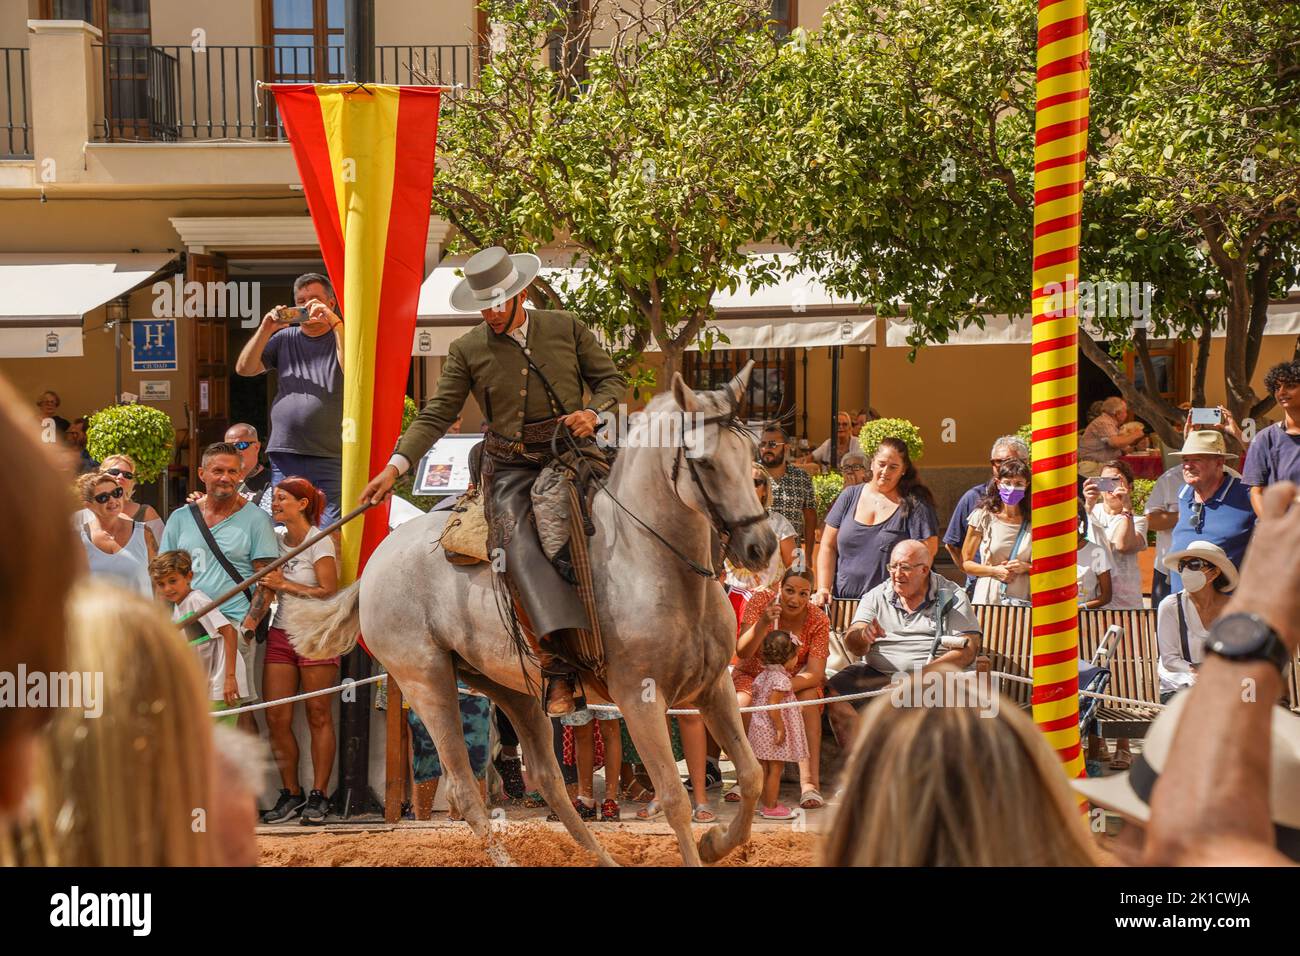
123	788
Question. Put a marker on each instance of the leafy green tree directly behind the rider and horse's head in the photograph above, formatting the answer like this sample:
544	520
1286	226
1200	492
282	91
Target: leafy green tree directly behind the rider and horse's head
657	159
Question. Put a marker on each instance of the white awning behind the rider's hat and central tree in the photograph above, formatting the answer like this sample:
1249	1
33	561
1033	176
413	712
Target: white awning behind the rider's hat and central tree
795	313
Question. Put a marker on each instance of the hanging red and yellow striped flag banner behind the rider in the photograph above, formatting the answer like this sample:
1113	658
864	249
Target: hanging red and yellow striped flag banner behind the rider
366	157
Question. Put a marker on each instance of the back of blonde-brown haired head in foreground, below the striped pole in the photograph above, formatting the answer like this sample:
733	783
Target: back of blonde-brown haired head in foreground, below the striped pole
954	786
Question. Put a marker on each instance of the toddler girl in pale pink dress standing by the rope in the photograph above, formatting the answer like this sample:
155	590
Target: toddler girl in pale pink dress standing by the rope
777	736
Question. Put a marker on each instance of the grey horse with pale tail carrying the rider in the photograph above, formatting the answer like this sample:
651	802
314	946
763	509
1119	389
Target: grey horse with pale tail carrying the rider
668	626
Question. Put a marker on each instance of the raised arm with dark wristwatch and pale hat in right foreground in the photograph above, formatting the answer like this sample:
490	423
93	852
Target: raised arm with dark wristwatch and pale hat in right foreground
1219	780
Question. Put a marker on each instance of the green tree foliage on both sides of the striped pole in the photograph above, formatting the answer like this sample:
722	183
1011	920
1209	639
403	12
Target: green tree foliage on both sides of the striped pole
1194	168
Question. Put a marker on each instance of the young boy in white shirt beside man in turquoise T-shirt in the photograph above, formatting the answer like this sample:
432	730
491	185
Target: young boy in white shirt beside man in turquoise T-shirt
213	637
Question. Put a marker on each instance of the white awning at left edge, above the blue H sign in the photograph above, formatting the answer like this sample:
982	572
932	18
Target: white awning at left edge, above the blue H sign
47	296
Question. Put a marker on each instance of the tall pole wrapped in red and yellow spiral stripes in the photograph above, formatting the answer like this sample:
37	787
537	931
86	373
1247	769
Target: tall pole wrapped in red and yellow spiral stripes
1060	155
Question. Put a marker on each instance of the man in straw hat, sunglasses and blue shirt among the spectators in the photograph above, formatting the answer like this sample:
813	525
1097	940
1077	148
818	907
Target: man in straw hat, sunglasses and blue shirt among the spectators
1212	505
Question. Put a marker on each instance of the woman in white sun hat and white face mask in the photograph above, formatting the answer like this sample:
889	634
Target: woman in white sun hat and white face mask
1185	618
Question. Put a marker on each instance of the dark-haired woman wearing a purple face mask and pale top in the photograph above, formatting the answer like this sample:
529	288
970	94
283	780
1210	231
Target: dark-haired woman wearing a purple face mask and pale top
999	544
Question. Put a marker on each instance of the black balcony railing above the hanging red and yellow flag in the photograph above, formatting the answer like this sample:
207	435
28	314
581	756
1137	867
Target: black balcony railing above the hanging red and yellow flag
170	94
